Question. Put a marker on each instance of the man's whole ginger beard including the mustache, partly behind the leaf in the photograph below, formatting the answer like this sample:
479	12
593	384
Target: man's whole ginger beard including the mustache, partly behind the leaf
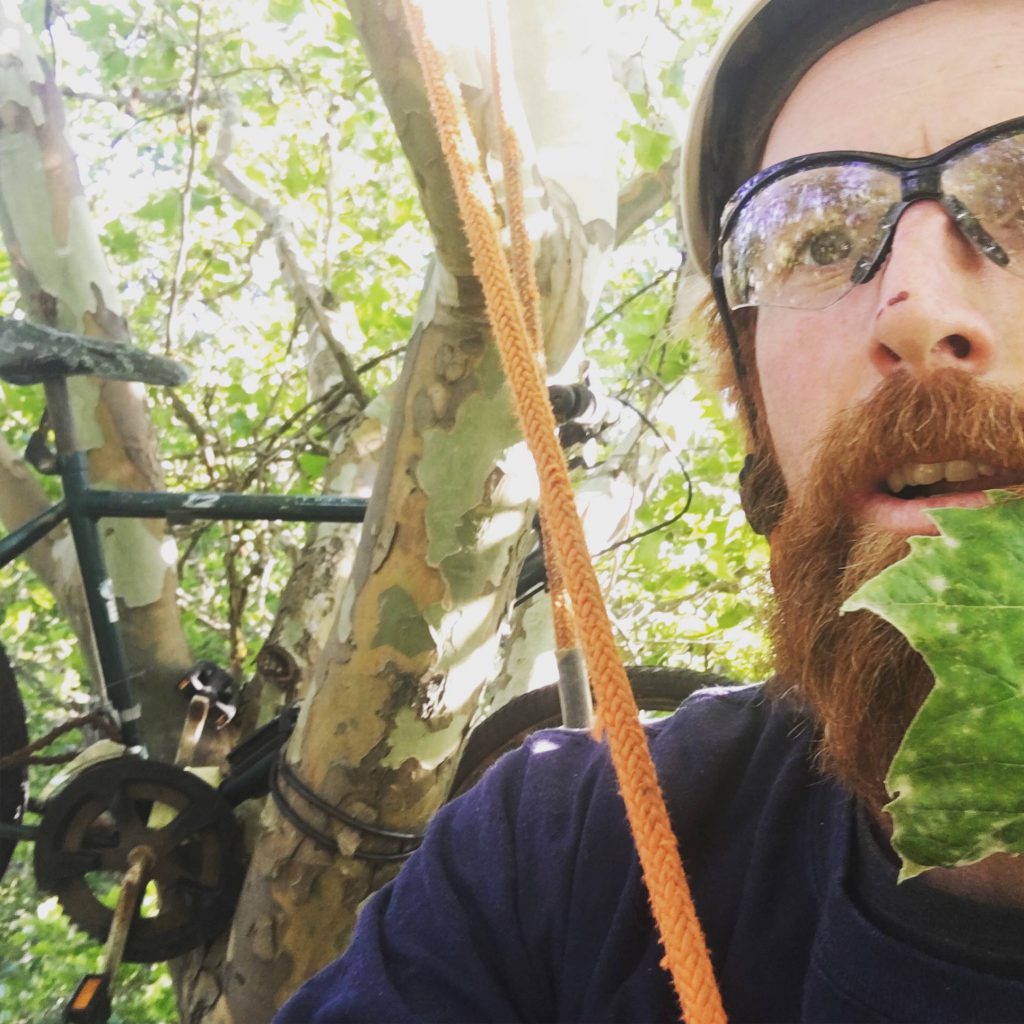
857	675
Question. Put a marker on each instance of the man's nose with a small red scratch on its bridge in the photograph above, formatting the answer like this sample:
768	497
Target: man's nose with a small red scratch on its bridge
927	315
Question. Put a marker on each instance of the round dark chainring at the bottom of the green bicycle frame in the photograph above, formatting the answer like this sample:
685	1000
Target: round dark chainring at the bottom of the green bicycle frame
92	825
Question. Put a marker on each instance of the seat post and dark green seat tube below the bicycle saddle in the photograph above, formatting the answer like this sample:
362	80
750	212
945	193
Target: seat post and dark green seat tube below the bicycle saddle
99	587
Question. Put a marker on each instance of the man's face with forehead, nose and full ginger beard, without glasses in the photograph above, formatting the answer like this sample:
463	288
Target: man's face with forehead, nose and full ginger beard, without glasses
918	373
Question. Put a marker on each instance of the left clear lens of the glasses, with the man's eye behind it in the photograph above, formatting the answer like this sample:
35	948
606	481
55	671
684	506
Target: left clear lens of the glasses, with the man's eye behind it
801	241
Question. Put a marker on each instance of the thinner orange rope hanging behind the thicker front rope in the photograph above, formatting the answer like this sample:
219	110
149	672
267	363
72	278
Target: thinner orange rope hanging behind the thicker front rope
525	276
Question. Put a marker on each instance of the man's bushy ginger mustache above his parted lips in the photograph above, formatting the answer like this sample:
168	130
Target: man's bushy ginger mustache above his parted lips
947	415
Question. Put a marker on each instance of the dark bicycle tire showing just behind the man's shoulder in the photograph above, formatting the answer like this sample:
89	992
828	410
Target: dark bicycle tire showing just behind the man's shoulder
656	690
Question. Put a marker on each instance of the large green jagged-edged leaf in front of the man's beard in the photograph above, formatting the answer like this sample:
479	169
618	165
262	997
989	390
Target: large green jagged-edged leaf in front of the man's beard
959	600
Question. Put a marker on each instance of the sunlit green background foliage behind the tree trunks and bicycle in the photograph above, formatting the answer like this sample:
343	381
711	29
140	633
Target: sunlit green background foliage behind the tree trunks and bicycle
151	88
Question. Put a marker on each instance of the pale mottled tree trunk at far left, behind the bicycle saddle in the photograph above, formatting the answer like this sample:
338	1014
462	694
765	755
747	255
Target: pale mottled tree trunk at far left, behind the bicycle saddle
65	283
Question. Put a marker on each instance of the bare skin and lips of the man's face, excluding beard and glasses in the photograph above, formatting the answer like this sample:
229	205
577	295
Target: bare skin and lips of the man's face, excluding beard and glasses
907	88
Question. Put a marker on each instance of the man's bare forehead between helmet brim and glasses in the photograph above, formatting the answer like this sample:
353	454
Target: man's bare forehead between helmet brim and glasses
911	84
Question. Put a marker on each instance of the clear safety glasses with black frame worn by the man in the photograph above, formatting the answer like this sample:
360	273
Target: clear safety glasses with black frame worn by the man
805	232
